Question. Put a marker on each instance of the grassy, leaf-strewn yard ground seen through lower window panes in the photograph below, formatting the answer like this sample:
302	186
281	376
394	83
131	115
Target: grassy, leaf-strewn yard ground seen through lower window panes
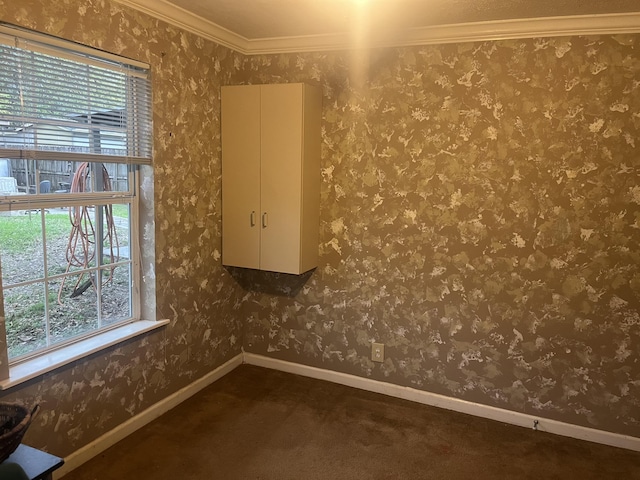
21	247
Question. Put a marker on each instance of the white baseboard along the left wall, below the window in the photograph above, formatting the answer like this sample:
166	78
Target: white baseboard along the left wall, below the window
110	438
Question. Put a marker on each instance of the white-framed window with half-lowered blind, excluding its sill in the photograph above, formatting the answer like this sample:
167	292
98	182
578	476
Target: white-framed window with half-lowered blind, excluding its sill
75	132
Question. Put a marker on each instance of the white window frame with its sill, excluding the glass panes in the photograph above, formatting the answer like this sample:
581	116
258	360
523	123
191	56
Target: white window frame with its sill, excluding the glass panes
25	367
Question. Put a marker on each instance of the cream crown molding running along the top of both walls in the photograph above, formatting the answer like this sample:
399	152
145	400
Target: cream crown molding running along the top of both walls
610	24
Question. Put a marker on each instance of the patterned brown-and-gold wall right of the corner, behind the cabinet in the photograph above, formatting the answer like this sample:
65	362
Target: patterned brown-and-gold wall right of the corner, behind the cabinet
480	216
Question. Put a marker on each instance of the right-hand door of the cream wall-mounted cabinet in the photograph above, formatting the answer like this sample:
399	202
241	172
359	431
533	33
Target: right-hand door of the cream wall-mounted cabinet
281	177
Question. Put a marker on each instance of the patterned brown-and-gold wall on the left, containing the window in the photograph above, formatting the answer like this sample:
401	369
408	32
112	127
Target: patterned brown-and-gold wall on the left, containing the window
86	399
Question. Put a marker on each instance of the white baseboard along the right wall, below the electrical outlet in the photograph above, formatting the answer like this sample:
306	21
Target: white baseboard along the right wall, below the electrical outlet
449	403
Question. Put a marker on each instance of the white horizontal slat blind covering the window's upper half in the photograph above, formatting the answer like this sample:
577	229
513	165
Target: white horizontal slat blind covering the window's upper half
63	101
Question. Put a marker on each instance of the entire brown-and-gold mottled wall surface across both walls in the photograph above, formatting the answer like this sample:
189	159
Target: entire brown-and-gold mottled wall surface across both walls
480	214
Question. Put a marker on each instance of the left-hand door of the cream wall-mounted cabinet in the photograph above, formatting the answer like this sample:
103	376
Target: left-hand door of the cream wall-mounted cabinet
241	176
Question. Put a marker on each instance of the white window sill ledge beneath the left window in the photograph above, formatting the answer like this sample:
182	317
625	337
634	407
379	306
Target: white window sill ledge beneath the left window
49	361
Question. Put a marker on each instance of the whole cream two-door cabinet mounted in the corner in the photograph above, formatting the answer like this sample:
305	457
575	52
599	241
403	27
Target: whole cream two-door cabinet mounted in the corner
271	176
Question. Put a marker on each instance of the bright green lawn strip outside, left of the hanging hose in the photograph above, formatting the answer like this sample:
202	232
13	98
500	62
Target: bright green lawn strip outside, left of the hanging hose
20	233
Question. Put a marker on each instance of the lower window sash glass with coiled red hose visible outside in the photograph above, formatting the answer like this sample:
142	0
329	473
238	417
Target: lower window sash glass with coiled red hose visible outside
66	271
